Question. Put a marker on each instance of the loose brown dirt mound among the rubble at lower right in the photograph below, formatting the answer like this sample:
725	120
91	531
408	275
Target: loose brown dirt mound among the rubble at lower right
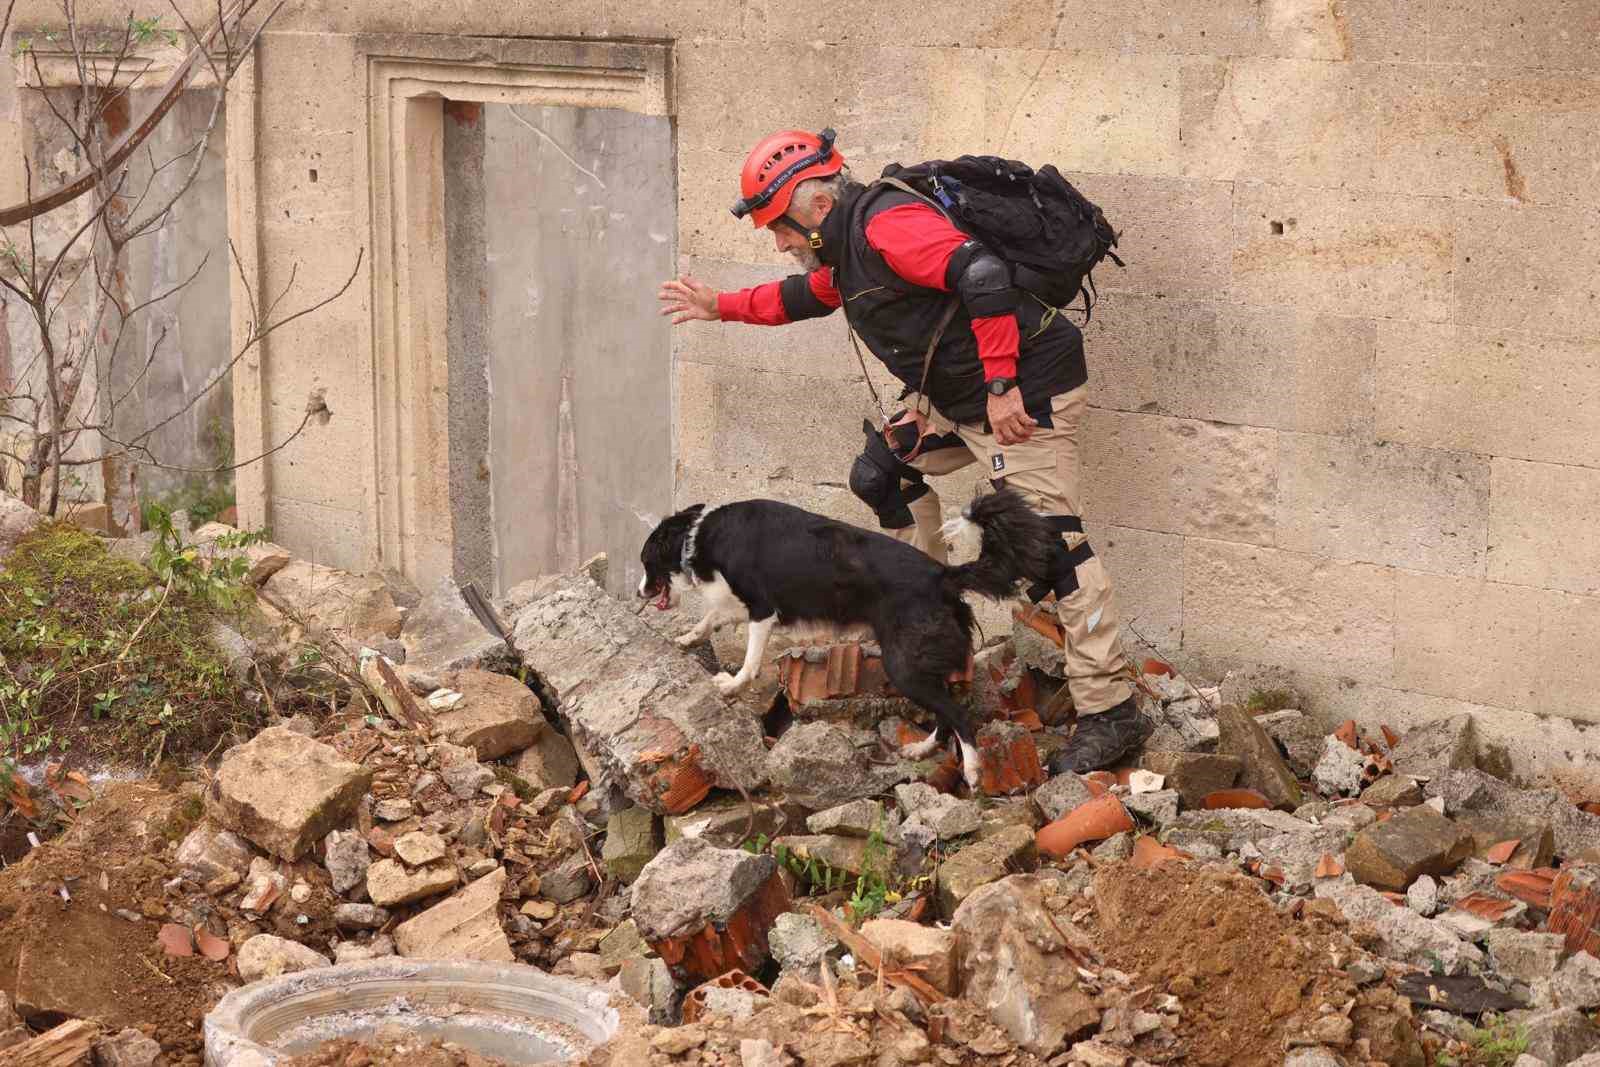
1250	978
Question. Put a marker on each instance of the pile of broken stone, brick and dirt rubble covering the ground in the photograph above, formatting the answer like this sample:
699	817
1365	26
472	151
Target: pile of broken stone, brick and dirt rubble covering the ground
572	793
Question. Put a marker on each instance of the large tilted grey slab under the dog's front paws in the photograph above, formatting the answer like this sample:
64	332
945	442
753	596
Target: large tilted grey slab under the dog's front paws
639	705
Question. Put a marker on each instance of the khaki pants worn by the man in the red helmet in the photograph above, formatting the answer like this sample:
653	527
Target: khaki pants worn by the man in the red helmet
1046	473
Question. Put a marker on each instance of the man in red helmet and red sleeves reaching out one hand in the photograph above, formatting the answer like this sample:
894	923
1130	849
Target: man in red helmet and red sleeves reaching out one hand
1006	385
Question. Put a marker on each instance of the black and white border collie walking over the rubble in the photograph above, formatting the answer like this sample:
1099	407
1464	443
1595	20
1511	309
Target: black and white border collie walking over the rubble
778	565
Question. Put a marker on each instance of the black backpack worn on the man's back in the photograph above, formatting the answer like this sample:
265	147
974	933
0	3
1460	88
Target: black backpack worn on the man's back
1047	231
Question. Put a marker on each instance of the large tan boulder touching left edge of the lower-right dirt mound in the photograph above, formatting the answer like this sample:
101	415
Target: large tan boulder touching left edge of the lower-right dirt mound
1015	964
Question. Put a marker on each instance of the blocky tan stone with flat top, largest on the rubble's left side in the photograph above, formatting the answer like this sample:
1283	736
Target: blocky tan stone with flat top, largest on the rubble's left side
284	791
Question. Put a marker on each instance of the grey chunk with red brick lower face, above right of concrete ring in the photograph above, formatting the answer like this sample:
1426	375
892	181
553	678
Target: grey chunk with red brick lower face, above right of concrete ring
708	911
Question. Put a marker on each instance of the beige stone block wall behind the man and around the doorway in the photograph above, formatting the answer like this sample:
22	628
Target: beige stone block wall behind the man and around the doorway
1346	410
